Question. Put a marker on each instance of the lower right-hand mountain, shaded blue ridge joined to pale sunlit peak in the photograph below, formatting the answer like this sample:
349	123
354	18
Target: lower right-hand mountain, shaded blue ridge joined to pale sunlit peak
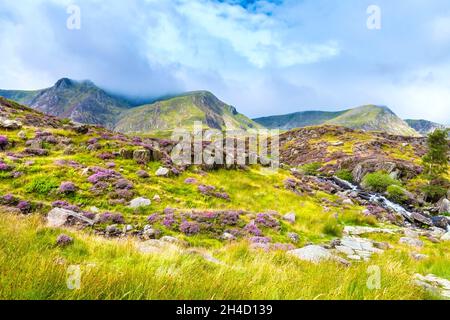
368	118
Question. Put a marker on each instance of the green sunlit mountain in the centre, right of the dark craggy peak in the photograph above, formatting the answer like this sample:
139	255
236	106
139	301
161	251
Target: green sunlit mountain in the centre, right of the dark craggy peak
181	112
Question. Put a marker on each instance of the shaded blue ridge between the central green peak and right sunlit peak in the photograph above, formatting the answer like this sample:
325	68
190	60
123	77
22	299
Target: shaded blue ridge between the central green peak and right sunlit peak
297	120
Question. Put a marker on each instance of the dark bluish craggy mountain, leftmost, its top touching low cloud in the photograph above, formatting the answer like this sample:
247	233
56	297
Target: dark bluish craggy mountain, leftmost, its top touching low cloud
80	101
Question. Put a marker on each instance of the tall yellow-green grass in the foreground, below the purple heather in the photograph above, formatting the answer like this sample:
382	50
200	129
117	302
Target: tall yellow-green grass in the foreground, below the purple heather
32	267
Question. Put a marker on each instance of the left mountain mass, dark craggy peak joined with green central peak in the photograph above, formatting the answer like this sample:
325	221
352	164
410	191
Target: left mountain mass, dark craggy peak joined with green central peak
84	102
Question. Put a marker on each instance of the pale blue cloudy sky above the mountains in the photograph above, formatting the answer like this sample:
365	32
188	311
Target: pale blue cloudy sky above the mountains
263	57
